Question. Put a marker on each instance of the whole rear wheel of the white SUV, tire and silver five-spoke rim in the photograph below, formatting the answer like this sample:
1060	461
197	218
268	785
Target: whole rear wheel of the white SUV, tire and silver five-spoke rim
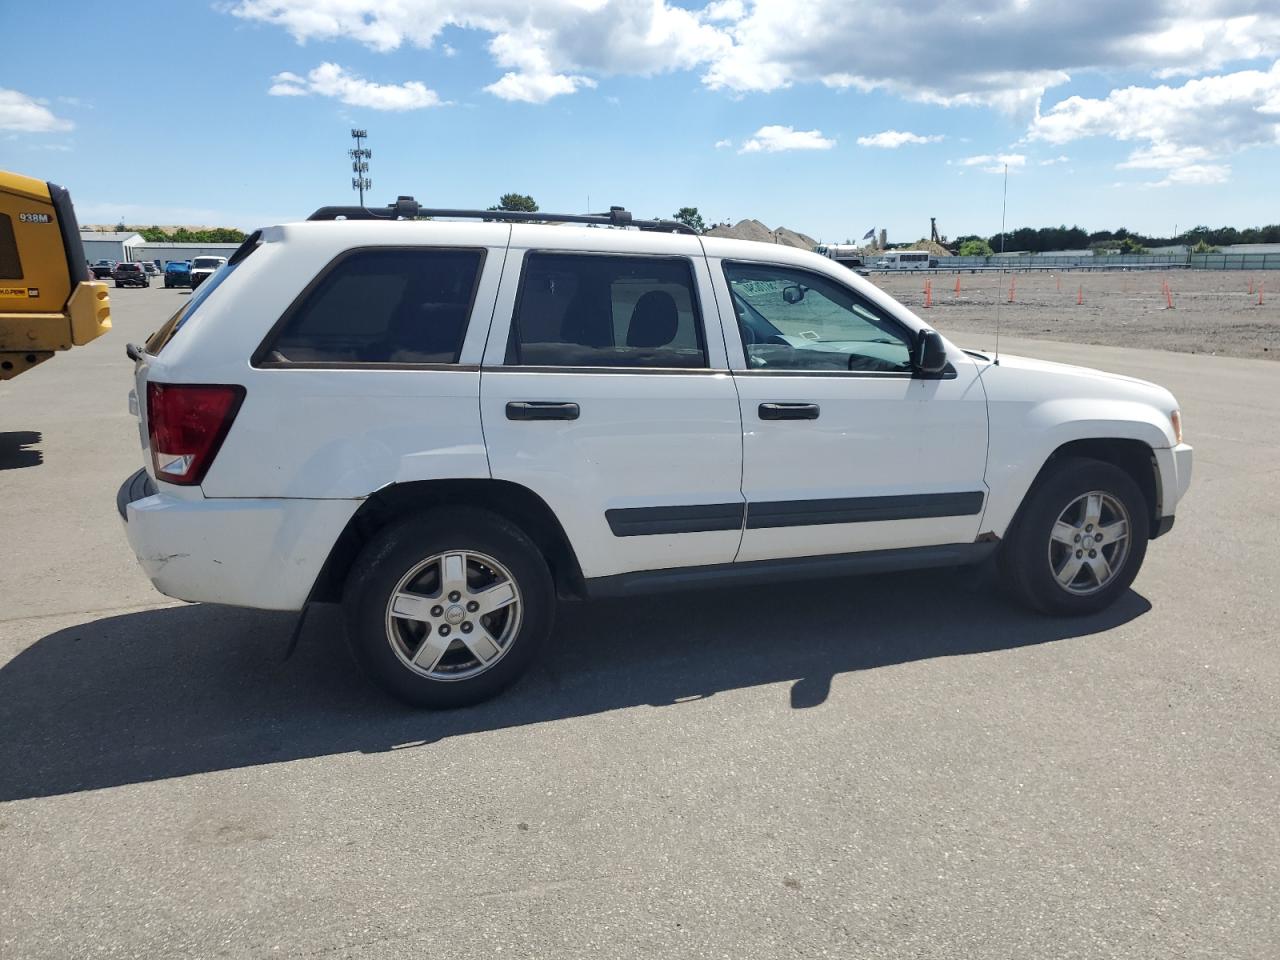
449	609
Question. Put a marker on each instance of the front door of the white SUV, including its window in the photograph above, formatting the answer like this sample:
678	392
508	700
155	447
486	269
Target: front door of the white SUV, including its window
845	449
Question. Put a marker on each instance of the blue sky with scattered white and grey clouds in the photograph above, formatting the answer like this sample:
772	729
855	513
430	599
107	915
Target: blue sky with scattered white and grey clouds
239	113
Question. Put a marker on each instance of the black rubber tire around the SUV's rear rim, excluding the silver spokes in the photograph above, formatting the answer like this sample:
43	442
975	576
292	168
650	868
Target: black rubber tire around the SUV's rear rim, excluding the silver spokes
394	554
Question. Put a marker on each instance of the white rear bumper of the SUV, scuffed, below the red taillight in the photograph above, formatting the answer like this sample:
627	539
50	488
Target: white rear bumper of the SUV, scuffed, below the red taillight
263	554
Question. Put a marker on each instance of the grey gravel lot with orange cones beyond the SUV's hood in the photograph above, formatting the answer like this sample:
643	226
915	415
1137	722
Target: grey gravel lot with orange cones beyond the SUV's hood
1214	312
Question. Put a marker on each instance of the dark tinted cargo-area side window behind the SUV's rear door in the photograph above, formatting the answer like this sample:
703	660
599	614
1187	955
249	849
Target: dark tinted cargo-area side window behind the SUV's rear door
382	307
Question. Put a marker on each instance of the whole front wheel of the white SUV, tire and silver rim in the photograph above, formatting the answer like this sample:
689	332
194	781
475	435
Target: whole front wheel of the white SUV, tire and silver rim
1078	541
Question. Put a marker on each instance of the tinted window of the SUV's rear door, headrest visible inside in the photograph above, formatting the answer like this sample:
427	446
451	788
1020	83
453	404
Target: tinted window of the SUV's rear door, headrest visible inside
598	310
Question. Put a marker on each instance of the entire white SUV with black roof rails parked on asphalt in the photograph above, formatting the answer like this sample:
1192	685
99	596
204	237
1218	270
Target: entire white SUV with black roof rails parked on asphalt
449	426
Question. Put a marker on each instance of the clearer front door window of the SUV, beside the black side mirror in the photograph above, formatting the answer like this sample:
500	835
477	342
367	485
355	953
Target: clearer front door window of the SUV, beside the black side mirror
798	321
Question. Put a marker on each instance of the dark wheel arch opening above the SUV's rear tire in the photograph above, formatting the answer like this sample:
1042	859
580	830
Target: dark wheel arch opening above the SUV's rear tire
510	501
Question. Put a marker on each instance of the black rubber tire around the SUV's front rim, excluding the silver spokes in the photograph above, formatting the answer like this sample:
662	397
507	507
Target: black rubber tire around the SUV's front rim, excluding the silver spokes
1026	556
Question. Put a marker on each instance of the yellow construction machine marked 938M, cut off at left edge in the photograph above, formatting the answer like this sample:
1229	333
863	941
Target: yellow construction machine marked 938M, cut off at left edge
48	300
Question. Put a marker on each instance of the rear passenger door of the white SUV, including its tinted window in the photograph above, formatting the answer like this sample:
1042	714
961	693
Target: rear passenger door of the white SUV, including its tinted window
605	391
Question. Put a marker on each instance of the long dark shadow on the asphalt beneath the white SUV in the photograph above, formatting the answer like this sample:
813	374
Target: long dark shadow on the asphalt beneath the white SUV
168	693
